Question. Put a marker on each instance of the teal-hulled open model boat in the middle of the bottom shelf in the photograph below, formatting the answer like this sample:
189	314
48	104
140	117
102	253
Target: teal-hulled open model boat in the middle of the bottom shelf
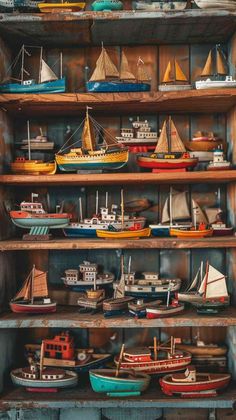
126	384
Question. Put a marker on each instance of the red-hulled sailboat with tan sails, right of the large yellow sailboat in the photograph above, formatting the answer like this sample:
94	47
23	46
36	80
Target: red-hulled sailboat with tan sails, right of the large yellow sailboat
170	152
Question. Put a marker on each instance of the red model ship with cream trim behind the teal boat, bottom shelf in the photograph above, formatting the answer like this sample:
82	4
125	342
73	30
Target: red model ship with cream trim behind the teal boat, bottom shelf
164	359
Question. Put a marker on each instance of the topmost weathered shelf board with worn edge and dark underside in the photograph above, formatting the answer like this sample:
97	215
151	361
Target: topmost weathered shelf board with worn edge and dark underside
115	28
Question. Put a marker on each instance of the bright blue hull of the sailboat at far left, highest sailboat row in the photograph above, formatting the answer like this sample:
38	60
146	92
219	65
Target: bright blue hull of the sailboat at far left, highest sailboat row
56	86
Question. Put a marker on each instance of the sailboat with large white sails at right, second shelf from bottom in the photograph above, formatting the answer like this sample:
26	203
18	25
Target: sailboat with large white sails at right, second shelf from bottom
208	293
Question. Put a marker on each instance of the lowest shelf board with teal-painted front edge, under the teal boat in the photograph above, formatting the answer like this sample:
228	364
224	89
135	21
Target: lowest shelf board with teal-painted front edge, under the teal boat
83	396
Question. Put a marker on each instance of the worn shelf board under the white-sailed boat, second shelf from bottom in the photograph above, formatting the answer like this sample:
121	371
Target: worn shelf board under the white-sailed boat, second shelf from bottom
69	317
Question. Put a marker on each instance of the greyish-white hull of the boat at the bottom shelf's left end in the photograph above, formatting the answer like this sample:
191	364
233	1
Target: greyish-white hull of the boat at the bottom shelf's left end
70	380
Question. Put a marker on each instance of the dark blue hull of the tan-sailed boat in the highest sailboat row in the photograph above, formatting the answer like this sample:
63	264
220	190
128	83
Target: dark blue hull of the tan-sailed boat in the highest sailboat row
117	86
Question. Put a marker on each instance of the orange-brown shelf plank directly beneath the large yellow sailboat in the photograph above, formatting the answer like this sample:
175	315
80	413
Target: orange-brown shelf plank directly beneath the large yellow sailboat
121	178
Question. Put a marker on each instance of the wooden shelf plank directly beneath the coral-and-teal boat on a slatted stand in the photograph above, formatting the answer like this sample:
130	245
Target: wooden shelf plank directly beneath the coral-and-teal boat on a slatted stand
149	243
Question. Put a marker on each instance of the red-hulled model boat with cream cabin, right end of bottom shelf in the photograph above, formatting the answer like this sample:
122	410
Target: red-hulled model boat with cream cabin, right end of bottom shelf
191	384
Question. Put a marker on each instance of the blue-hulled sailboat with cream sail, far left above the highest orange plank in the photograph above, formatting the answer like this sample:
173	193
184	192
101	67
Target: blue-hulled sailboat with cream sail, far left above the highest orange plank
47	81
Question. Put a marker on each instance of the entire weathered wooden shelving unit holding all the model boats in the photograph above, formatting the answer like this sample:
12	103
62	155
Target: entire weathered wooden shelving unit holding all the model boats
216	108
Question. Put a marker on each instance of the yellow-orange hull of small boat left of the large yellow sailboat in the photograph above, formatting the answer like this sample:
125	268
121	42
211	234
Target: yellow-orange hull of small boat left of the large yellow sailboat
34	167
